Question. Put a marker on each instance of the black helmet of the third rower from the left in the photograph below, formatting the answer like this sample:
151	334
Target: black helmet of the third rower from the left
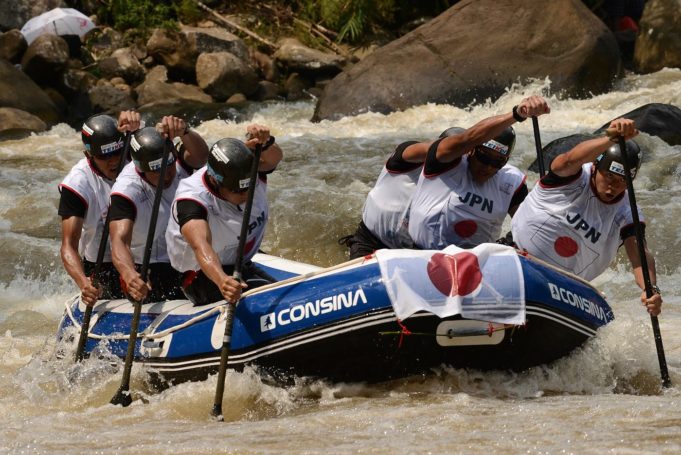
229	163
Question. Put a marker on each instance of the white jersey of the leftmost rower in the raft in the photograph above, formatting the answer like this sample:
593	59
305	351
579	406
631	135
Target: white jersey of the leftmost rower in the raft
94	191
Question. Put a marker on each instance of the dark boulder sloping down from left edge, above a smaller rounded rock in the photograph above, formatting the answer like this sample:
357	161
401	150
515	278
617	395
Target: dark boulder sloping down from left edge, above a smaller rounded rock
17	90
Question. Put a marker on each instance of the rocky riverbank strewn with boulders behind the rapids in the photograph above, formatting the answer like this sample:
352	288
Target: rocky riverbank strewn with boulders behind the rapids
229	58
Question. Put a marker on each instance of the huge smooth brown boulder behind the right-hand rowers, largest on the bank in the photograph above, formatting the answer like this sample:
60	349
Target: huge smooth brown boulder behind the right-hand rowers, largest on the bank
476	50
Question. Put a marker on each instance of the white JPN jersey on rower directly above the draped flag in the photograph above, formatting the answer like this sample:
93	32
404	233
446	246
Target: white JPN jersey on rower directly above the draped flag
450	208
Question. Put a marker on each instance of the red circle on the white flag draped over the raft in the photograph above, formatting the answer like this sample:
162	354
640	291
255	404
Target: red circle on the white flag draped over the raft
457	274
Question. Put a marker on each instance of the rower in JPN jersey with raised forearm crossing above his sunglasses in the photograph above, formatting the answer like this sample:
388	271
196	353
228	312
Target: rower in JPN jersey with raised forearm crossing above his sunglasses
467	186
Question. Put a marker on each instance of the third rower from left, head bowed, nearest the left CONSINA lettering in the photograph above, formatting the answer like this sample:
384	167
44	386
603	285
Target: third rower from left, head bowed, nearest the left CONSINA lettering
203	231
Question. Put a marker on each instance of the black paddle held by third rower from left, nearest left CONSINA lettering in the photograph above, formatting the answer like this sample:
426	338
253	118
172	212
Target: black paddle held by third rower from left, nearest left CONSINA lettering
229	310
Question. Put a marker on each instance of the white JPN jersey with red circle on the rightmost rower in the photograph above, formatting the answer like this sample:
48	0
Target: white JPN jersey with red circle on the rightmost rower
568	225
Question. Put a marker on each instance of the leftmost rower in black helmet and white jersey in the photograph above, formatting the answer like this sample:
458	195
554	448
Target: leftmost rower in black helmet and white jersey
84	201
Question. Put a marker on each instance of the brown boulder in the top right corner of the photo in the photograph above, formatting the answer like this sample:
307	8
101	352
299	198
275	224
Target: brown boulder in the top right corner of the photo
659	41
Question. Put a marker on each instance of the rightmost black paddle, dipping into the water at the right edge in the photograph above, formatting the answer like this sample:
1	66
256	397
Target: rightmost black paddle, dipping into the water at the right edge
666	382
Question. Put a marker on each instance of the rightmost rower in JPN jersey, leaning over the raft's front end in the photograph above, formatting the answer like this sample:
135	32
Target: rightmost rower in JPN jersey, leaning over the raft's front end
578	215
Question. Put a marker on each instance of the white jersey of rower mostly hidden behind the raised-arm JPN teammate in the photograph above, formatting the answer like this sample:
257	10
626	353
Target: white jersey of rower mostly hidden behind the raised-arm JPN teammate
386	209
